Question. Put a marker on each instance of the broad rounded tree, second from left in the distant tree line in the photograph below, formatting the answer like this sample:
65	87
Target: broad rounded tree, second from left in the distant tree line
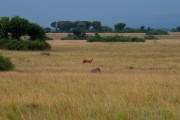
65	26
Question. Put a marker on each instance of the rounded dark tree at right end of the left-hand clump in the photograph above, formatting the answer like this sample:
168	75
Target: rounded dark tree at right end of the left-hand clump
35	32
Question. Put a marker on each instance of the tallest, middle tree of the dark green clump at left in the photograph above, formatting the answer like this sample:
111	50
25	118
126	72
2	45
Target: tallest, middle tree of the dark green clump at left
18	27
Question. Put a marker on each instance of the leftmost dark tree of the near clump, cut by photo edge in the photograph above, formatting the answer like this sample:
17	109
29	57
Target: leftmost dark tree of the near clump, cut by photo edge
4	26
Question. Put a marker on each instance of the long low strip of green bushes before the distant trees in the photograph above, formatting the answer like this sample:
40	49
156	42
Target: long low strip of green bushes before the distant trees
116	38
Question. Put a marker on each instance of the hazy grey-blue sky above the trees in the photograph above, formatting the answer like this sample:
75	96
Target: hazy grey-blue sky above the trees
135	13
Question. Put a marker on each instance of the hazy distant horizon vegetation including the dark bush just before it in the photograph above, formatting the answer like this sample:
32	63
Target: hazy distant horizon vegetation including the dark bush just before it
77	29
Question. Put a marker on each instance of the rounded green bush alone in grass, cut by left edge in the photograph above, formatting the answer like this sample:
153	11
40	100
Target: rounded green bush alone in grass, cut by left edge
5	64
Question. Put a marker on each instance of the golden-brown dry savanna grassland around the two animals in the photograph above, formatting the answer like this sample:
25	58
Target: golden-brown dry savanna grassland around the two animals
139	81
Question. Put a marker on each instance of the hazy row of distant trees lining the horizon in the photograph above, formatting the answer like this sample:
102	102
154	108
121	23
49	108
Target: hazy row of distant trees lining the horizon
94	26
